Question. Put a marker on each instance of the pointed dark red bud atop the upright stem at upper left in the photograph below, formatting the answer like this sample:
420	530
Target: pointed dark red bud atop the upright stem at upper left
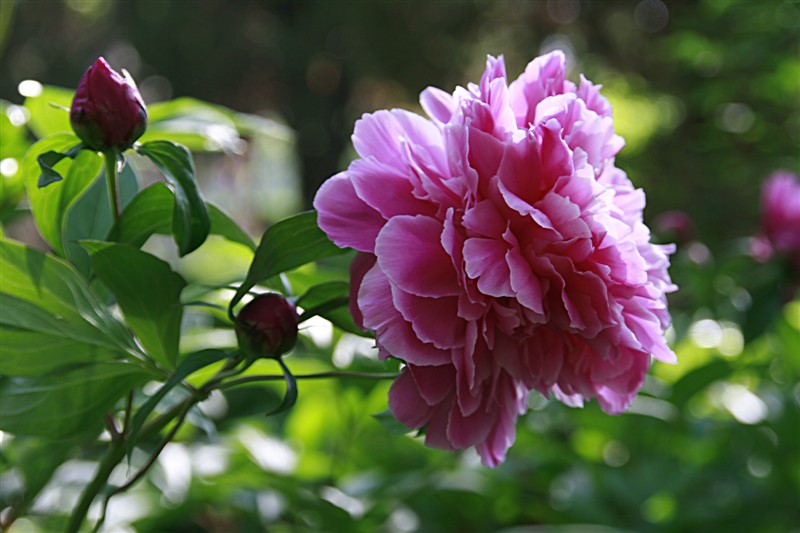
107	110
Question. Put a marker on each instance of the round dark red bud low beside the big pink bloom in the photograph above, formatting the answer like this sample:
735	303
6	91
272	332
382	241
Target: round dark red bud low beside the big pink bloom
267	326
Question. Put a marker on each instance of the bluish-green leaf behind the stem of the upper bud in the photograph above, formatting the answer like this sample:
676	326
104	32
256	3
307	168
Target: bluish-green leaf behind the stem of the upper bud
91	219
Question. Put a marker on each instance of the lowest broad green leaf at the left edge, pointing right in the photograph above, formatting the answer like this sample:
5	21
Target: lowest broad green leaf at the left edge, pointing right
68	404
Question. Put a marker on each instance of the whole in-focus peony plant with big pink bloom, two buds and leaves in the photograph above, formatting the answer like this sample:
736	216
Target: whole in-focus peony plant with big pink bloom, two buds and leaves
499	252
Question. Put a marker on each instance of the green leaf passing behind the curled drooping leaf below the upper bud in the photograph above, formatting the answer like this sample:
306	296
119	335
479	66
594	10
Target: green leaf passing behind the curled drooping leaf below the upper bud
151	212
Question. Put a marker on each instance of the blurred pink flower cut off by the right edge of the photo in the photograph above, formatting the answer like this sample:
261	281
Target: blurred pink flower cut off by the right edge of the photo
780	212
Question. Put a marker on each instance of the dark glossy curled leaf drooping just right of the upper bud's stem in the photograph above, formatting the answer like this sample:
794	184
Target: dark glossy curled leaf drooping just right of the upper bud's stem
190	219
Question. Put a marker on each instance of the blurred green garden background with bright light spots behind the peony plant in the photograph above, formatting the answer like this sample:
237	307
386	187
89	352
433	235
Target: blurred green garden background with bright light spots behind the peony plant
707	96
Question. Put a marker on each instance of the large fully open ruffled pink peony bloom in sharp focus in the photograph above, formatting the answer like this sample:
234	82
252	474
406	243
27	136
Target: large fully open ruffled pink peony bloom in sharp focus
501	252
